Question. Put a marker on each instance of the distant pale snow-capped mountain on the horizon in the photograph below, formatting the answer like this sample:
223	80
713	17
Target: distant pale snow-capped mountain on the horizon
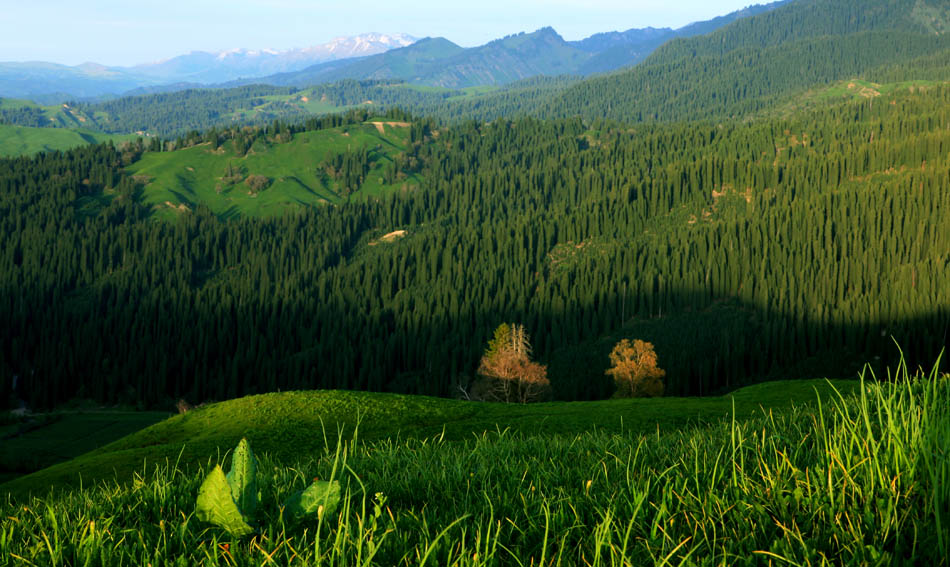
222	66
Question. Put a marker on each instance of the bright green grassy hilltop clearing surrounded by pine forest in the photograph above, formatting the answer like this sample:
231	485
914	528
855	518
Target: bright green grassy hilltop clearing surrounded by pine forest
180	180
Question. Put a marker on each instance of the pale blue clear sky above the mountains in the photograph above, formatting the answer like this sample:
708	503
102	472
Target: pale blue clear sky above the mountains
126	32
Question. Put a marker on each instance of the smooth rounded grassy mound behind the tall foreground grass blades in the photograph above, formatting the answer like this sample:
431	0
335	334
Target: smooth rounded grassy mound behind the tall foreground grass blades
288	425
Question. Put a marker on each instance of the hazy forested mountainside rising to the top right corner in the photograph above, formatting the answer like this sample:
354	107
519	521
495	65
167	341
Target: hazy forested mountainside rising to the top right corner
750	64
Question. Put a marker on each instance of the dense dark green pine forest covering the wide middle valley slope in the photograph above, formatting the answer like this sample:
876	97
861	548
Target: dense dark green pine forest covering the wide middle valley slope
741	250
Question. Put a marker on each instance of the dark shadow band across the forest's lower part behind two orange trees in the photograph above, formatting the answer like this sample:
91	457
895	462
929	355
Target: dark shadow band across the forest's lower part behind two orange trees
158	347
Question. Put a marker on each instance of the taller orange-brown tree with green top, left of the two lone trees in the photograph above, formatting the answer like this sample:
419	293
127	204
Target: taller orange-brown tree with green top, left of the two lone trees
506	372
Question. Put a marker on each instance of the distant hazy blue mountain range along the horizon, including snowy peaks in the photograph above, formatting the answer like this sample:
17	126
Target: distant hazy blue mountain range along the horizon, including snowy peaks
433	61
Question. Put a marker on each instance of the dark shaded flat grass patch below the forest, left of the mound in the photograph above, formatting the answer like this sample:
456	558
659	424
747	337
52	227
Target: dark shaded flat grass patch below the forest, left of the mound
48	439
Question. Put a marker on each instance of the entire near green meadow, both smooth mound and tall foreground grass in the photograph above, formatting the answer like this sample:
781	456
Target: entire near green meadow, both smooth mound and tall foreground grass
804	473
